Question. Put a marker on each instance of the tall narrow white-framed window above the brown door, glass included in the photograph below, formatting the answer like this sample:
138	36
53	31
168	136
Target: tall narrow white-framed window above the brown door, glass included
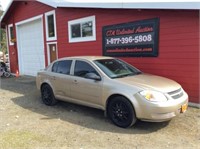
50	20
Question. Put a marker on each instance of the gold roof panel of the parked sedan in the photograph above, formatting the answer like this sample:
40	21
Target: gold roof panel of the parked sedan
90	58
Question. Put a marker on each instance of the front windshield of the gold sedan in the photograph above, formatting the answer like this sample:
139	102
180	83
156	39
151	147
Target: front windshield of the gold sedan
115	68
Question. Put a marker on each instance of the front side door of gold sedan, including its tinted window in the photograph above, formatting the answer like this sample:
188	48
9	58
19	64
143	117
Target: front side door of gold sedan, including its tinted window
84	89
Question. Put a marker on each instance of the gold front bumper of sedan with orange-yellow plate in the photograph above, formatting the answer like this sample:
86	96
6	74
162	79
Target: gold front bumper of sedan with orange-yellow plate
160	111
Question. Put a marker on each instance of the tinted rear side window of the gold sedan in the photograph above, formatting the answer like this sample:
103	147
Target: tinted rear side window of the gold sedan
62	67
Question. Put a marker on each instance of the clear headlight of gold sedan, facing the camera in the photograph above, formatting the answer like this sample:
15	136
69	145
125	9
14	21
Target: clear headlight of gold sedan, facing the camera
153	96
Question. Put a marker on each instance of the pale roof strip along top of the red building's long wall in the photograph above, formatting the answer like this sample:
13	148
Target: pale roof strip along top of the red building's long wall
132	5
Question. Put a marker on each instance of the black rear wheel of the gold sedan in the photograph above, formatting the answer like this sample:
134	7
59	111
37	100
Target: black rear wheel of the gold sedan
47	94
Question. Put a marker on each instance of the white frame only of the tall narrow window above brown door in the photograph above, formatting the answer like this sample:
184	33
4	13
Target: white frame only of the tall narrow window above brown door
46	25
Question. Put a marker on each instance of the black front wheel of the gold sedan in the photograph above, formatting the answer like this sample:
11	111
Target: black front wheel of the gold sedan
121	112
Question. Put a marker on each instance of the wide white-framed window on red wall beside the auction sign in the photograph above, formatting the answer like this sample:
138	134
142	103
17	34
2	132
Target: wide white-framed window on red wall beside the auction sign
83	29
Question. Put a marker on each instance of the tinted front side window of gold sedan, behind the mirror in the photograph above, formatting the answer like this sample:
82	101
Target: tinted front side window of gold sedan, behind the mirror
82	68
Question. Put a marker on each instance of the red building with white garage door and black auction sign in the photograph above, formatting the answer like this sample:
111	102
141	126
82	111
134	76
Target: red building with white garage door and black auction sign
42	31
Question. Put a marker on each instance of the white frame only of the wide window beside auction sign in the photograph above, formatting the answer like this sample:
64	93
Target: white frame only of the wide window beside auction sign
79	21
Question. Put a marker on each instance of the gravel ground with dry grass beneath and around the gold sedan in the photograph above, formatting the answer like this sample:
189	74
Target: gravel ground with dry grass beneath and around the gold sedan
25	122
